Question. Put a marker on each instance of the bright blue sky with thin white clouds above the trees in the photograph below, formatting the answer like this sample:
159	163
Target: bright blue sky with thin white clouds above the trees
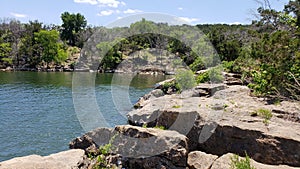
103	12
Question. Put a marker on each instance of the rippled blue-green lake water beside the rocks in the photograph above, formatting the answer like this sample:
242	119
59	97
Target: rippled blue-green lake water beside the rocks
37	114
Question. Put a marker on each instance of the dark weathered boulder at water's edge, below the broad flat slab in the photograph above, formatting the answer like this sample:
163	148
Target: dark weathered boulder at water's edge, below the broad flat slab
139	147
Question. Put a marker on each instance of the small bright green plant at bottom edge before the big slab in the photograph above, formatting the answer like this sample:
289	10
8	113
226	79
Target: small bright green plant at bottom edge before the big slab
238	163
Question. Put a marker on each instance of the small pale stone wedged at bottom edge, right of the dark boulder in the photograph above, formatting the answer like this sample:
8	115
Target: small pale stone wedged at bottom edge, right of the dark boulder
200	160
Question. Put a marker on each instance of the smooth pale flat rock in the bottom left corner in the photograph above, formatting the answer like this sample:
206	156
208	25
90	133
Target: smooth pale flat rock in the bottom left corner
63	160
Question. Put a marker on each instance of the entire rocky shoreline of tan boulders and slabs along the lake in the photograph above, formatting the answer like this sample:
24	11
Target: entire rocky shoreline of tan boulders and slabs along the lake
199	128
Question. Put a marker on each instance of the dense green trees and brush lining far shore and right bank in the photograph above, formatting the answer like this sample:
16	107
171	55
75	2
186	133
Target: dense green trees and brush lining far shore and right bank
265	52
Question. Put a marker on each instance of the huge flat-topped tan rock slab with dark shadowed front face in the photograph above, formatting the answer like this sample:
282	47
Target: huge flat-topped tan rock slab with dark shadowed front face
223	122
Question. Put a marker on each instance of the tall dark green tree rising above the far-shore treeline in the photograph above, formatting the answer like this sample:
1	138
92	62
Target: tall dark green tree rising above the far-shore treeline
72	25
